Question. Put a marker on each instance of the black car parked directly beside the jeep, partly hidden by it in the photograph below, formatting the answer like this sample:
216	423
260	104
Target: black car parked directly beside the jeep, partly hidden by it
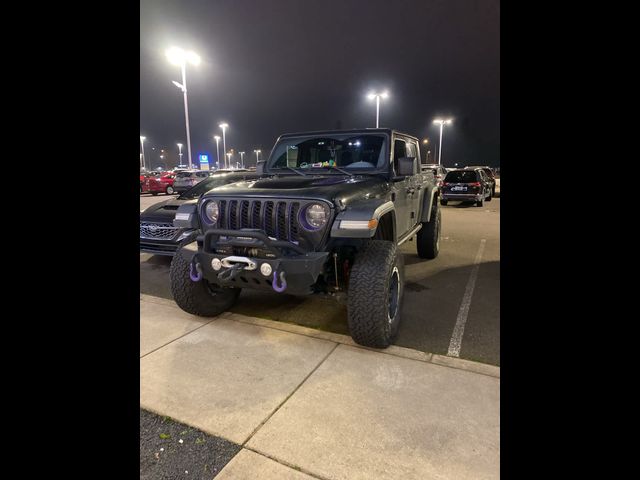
157	233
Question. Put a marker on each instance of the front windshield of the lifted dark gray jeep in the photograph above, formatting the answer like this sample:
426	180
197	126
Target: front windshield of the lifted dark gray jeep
357	152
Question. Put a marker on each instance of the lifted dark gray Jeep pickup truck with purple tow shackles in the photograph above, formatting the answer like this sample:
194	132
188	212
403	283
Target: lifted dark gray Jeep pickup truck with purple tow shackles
326	217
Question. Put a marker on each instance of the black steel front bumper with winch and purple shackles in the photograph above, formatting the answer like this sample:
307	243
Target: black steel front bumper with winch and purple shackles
301	269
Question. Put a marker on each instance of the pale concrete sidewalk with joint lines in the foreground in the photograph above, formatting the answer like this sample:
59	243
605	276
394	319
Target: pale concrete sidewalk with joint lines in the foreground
308	404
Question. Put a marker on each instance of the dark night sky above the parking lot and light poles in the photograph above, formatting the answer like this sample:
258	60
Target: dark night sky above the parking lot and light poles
277	66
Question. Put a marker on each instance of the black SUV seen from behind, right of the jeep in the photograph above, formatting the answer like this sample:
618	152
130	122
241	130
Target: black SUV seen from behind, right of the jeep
466	184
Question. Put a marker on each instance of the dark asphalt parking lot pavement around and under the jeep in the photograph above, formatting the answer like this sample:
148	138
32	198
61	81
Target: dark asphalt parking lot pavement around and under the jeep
451	304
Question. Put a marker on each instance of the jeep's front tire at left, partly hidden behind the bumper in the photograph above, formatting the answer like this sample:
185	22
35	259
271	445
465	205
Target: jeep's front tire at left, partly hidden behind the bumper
198	298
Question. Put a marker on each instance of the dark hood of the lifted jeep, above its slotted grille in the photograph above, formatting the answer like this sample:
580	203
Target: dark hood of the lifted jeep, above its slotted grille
328	187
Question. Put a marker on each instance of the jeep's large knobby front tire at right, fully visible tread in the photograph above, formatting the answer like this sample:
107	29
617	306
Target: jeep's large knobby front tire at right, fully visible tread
376	286
